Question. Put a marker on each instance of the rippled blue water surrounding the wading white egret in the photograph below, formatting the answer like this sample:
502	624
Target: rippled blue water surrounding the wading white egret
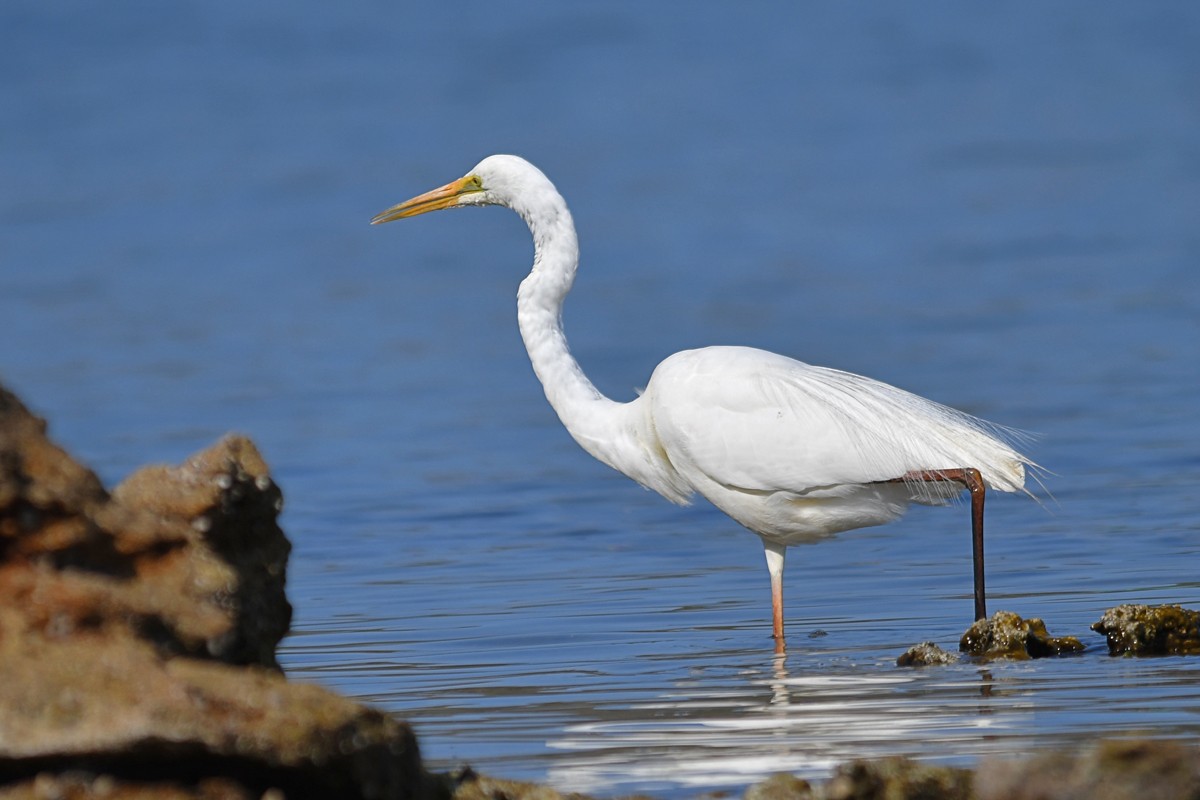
993	207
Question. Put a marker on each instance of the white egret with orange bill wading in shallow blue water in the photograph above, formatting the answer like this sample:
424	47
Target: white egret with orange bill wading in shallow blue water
791	452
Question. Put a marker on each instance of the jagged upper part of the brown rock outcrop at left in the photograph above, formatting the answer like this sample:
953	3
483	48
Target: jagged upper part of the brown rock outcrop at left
189	558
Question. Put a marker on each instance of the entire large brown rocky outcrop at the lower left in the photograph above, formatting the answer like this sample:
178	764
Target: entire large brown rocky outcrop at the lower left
139	634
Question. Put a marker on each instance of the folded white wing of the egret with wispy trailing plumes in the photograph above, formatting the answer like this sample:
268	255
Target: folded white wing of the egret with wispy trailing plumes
760	422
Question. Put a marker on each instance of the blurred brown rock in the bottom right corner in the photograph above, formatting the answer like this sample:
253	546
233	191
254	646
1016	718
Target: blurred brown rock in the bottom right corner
1113	771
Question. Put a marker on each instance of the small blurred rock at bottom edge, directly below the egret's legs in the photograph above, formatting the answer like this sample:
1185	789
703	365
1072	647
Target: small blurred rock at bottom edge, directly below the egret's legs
897	779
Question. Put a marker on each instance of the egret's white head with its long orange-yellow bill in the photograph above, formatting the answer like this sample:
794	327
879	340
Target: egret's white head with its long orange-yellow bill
496	181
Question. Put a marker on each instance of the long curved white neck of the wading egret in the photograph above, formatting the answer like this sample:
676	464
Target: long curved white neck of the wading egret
587	414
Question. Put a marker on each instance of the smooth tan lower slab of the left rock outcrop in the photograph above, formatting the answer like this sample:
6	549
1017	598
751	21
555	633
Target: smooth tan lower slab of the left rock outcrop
119	708
